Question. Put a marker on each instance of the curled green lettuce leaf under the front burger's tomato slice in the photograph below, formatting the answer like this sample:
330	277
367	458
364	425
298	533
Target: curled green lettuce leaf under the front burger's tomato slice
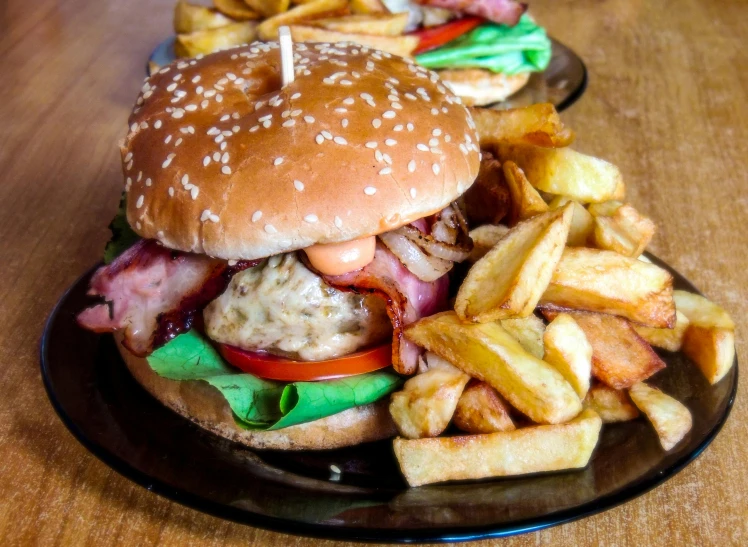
263	404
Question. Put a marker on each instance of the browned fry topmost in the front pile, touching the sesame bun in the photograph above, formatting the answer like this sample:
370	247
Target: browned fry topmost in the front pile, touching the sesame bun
538	125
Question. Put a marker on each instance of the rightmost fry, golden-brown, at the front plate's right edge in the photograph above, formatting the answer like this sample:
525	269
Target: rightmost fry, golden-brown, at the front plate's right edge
709	340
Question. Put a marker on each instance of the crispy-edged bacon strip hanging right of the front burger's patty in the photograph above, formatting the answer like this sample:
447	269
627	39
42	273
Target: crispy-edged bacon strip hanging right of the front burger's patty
408	299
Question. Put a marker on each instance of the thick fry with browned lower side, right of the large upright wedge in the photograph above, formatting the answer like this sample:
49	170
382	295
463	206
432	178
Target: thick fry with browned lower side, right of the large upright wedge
607	282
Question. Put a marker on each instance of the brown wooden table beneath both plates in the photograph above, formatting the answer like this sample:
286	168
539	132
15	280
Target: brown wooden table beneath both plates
667	102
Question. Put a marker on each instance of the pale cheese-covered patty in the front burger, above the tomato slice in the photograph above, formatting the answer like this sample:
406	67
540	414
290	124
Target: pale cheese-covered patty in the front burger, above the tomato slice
281	307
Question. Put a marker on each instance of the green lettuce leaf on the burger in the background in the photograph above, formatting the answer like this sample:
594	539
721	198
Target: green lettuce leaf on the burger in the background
524	47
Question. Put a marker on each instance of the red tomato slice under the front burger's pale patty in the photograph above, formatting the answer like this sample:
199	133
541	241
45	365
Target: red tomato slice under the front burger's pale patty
272	367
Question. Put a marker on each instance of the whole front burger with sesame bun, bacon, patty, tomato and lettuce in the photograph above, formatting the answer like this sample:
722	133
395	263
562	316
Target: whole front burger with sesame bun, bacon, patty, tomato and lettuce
274	240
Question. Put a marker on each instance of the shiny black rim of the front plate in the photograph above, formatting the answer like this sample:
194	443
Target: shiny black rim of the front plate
370	535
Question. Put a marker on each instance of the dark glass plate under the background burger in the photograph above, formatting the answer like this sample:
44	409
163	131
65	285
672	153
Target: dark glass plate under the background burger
562	83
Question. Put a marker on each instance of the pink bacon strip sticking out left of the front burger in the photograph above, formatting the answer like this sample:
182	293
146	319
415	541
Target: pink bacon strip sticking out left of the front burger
153	293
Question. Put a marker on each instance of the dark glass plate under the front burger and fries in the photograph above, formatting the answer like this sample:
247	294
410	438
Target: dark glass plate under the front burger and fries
117	420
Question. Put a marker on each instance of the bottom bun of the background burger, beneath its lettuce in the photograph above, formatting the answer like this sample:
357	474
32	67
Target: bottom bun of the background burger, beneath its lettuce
478	87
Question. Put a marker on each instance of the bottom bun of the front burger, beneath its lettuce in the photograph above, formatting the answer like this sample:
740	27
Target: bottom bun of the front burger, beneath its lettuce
203	404
